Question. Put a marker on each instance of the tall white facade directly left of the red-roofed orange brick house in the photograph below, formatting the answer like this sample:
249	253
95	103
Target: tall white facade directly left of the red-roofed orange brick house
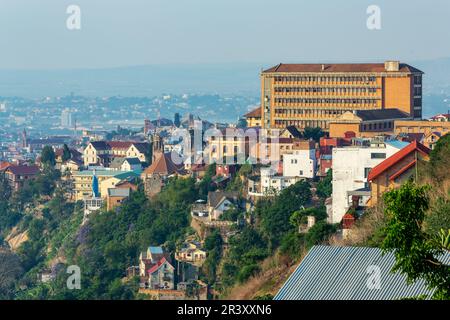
351	166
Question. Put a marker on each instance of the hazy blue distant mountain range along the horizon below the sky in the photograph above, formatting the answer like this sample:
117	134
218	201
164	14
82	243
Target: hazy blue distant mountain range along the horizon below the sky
154	80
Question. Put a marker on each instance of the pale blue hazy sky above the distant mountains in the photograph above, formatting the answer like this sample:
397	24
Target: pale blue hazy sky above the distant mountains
33	33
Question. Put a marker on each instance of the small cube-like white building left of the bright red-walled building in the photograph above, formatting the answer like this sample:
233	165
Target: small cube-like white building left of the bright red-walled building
302	163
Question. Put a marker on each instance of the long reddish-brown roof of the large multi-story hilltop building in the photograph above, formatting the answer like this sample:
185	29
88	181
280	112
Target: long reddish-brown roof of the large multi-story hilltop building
338	68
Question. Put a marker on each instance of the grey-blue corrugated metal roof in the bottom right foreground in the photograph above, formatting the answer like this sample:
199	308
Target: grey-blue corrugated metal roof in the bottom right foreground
343	273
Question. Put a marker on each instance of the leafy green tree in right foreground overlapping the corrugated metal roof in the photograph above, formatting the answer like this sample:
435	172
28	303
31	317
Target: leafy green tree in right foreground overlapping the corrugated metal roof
416	252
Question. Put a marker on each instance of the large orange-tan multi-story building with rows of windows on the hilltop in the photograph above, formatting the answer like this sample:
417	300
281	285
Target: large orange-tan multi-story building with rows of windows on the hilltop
311	95
